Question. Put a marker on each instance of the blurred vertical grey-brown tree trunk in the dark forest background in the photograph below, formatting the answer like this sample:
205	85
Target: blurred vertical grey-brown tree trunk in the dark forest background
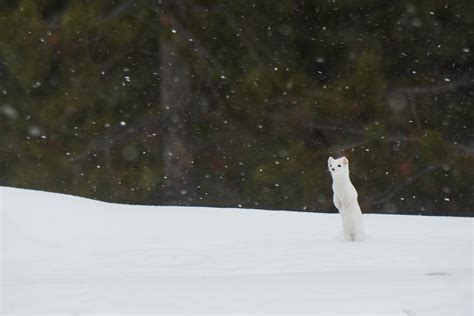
177	146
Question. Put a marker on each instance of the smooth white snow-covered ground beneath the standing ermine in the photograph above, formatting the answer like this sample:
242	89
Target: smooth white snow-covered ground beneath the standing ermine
72	255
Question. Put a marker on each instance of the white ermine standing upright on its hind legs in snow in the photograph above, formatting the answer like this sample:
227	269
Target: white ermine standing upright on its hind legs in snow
345	199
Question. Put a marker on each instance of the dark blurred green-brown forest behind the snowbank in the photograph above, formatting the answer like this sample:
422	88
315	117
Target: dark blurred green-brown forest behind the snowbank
240	103
